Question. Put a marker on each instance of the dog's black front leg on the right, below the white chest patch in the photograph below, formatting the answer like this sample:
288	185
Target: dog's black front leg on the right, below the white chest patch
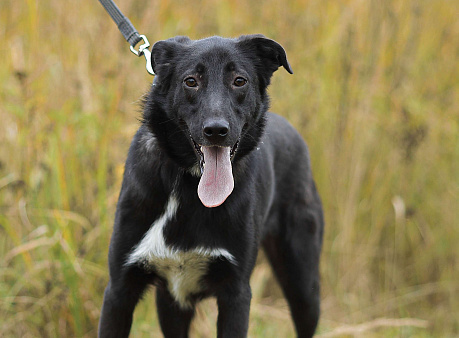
233	311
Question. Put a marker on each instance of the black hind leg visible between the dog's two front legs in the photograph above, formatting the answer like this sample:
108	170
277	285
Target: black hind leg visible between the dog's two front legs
174	321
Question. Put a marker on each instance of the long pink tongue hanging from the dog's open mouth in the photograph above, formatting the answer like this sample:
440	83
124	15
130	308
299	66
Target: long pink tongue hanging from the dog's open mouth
216	182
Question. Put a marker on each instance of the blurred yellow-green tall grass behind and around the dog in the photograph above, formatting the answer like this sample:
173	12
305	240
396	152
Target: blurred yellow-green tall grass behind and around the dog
375	93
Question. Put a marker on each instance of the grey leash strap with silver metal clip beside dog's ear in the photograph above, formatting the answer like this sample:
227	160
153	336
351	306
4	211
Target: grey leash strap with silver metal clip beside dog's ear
129	32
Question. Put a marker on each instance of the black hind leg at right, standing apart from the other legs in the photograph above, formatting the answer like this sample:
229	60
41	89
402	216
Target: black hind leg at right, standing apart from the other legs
293	251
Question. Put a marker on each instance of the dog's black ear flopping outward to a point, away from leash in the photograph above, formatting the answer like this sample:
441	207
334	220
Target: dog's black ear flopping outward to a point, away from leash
268	53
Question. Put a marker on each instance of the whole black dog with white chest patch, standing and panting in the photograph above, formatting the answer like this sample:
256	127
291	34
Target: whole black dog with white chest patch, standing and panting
210	176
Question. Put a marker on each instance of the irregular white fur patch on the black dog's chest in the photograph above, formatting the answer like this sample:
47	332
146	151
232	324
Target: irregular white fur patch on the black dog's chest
182	270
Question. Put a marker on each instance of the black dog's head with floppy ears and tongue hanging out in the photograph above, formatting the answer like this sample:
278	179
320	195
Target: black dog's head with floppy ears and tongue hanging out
208	103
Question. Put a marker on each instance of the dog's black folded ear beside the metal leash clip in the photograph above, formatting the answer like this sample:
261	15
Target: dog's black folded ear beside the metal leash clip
164	52
